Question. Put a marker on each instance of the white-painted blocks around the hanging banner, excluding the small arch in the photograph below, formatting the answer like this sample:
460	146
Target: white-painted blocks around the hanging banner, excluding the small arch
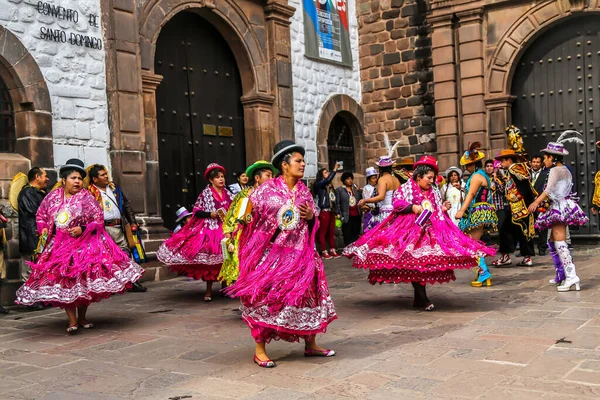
315	82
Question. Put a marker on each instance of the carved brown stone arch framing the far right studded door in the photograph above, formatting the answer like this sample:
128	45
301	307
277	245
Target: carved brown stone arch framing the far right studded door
503	62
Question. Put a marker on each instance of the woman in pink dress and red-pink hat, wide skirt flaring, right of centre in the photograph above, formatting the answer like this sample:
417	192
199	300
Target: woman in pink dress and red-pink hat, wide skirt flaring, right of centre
417	243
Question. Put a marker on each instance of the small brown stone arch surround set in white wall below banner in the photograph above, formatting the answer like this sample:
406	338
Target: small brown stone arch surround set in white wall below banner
347	108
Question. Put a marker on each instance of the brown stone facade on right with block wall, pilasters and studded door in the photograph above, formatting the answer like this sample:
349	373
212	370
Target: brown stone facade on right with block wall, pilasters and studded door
440	74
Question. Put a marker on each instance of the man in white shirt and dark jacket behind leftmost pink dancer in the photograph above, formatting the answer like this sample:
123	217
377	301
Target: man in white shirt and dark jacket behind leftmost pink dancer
118	214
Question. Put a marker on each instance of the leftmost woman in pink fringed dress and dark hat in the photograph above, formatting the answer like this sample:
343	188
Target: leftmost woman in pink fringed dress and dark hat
80	263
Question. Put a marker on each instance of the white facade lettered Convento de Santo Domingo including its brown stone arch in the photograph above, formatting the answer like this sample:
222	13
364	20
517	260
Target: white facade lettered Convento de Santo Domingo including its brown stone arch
53	97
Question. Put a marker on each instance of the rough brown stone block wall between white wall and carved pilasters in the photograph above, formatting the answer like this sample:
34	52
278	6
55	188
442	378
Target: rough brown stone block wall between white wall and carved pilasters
396	75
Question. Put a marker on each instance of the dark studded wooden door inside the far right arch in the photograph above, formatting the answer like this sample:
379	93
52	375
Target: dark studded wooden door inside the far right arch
557	87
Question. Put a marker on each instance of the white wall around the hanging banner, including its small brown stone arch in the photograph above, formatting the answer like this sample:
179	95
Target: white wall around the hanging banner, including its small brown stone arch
323	91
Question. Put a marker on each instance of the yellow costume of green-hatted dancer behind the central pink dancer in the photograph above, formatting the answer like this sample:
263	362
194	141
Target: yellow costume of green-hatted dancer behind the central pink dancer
232	225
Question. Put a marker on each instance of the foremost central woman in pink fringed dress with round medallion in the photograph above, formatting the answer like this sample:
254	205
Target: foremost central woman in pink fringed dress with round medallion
282	282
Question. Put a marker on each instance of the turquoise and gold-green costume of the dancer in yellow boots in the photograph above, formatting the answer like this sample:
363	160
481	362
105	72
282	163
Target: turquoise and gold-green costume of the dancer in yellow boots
480	212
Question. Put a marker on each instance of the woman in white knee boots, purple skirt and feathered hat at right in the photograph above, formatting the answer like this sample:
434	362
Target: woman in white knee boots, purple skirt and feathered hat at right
562	212
